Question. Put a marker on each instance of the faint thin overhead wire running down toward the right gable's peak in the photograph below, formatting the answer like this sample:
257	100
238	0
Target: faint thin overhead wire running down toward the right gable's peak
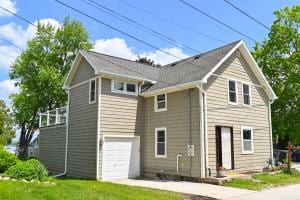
186	28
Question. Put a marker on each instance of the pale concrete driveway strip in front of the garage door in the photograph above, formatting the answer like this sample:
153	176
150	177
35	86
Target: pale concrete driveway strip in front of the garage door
202	189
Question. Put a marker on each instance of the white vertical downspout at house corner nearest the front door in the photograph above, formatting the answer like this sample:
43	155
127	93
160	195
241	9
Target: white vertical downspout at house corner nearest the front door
202	161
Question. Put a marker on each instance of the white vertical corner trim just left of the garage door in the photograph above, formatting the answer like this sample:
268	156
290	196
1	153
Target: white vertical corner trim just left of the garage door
98	127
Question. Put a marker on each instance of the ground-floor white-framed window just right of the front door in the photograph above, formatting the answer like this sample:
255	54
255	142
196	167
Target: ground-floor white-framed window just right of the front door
247	140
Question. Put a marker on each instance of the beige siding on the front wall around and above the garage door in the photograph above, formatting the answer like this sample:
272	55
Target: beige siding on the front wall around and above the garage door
121	114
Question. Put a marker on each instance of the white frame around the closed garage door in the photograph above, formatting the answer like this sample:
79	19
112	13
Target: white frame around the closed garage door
121	136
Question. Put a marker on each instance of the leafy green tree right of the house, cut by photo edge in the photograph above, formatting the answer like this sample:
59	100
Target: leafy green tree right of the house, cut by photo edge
279	58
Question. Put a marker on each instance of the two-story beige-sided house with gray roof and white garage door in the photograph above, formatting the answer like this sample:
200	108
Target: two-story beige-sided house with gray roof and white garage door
184	119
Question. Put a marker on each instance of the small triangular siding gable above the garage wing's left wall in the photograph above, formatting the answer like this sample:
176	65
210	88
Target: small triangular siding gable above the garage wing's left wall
84	72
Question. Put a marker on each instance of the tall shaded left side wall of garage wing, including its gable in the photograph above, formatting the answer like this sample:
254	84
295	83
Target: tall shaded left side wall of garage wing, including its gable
82	126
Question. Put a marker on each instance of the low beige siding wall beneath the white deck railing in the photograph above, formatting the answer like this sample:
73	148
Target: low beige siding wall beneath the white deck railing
52	147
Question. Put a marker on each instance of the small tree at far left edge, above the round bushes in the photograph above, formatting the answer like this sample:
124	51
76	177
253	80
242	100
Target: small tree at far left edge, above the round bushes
6	124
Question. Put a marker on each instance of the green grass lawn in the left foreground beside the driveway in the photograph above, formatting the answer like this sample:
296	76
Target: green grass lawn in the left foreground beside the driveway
78	189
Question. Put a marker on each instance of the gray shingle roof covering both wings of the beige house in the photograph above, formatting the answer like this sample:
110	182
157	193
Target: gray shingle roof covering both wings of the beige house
191	69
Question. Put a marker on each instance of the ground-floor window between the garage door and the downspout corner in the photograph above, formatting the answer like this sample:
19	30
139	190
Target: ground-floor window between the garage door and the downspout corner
161	142
